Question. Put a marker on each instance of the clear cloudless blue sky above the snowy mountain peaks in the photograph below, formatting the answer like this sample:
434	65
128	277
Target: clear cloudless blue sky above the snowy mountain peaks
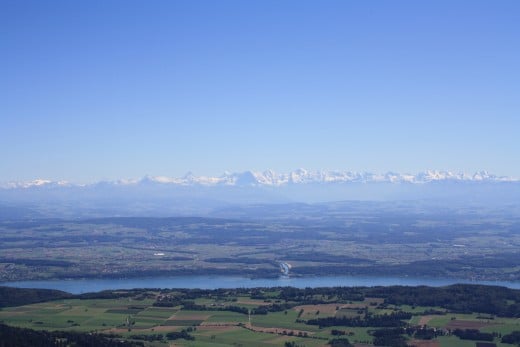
93	90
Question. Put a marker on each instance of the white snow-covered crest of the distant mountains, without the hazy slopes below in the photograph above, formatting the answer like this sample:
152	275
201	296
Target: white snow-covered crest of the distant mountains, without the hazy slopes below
273	179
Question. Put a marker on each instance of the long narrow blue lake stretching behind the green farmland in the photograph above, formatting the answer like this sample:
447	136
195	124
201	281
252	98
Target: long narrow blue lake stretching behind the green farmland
212	282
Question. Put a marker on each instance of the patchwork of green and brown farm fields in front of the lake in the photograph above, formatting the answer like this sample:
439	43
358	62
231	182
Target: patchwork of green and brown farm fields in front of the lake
269	317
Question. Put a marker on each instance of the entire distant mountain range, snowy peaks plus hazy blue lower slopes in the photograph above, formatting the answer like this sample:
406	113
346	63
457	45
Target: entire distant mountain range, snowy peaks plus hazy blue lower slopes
193	195
